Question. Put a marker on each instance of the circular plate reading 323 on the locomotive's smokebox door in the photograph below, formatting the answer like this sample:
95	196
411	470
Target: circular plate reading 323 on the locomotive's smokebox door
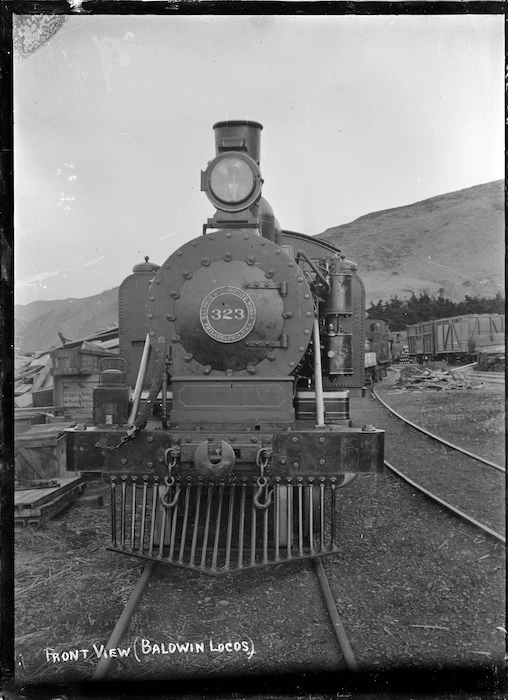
227	314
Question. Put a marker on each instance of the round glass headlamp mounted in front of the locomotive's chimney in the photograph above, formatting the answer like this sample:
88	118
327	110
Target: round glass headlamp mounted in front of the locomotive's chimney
232	181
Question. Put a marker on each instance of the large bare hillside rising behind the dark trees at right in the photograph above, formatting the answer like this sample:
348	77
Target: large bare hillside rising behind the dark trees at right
453	244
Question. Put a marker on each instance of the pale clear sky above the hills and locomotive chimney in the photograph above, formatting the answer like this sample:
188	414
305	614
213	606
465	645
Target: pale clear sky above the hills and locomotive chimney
113	123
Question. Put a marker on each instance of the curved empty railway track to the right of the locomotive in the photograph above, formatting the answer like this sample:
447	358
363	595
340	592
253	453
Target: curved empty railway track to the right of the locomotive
459	481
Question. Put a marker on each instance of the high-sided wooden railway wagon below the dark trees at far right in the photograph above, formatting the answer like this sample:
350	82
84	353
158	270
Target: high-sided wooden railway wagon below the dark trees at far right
456	339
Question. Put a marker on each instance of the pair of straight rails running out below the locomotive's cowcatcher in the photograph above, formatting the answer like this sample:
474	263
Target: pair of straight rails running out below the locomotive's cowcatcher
103	668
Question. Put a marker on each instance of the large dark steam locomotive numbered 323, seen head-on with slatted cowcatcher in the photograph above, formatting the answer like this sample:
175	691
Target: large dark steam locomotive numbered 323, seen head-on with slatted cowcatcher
224	424
